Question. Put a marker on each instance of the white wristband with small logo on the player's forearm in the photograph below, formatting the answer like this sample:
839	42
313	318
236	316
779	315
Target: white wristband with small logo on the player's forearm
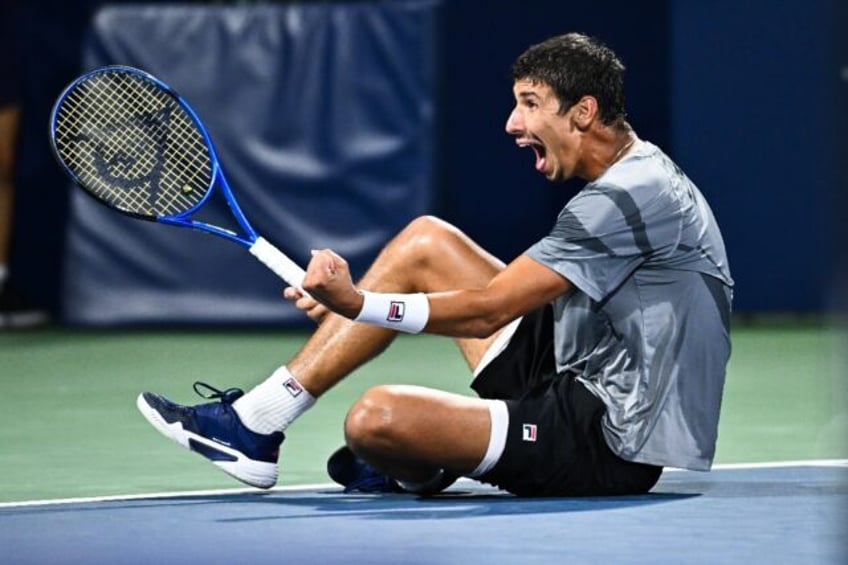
402	312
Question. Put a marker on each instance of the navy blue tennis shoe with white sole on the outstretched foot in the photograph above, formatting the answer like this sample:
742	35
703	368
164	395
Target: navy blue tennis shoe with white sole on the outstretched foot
215	431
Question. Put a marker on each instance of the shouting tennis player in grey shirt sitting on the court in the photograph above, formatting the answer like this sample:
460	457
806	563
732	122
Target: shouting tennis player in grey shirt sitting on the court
599	354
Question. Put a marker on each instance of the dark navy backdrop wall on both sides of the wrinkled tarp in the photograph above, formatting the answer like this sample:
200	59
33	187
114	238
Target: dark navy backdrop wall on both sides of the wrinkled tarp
749	99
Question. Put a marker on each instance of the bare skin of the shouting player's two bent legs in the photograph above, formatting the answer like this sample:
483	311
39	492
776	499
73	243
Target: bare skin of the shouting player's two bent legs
408	432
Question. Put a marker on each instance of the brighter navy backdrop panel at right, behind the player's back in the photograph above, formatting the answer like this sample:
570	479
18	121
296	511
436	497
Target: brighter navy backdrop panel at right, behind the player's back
759	95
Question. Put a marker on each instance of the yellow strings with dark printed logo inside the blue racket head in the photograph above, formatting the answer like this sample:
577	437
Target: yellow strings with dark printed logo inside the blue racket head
132	145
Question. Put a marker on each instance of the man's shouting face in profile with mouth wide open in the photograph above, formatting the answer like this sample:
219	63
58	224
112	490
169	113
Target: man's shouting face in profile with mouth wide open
535	123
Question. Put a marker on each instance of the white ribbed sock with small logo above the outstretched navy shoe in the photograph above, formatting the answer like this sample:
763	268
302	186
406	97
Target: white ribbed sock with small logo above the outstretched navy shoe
273	404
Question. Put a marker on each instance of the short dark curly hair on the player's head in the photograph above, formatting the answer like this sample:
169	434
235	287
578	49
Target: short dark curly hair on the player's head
575	65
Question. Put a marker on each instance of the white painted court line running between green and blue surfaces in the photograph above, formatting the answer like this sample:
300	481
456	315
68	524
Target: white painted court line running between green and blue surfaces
317	486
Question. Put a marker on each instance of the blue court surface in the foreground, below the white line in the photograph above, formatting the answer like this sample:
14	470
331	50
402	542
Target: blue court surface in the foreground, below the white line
789	514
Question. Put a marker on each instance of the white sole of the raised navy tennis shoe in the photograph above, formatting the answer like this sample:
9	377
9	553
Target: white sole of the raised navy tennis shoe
254	473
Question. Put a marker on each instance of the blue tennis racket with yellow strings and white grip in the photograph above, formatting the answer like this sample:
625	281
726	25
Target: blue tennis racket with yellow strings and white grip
135	145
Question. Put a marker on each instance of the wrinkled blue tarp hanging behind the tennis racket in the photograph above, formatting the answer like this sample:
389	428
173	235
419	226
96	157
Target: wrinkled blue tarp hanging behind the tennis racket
324	119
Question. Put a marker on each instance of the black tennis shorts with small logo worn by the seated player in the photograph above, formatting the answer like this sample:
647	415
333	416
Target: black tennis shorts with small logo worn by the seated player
555	445
